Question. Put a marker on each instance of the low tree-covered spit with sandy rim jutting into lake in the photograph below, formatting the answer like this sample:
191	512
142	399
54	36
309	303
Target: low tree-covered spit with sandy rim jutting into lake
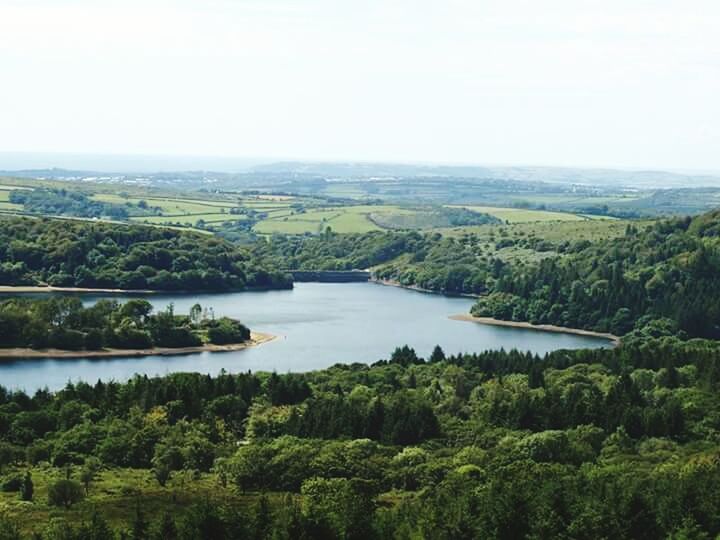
64	327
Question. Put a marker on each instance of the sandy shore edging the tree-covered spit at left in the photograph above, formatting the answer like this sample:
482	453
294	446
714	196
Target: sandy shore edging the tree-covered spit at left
256	338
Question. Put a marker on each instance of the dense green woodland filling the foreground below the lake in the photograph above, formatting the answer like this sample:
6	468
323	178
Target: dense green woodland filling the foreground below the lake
608	443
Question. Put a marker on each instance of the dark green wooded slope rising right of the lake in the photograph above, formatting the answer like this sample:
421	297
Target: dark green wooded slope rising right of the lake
663	278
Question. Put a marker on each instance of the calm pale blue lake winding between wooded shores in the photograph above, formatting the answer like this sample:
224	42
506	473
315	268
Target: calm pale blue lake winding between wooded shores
316	324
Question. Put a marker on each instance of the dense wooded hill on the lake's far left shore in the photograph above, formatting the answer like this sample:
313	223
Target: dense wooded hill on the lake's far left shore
102	255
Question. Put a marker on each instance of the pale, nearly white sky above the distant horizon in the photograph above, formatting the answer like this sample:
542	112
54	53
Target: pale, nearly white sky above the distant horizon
612	83
